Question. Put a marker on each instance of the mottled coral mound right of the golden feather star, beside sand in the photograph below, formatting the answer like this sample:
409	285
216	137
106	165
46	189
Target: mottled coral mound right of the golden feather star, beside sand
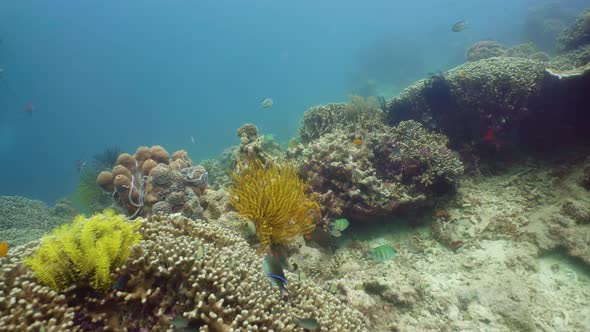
392	168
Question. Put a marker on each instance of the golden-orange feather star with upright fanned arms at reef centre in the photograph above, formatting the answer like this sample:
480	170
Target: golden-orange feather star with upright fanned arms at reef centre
274	198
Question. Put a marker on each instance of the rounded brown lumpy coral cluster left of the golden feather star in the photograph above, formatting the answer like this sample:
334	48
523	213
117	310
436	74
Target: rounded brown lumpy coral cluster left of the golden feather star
152	182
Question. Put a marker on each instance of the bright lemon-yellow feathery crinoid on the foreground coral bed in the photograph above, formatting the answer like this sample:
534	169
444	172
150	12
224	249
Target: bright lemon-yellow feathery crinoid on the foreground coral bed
86	251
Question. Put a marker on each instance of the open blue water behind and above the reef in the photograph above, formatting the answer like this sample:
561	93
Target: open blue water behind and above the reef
129	73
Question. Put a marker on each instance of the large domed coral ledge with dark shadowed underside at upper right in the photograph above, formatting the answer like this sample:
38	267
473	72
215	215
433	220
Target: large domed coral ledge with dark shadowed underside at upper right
507	97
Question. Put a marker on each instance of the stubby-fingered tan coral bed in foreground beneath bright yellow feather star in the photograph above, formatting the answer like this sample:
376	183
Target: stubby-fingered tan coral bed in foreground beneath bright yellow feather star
197	270
